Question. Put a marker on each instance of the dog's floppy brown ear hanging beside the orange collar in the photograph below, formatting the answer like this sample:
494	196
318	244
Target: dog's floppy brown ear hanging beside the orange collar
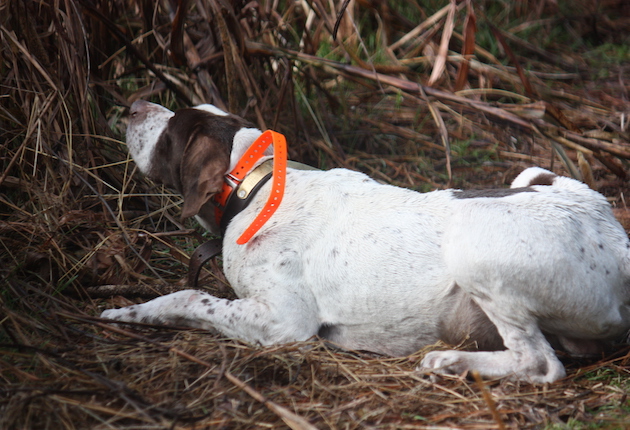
204	163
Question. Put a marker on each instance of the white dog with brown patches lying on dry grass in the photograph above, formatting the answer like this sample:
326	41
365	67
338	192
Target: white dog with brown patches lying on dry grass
389	270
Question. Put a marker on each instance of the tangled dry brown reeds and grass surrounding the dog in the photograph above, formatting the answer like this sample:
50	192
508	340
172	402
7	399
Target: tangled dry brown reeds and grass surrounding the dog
423	96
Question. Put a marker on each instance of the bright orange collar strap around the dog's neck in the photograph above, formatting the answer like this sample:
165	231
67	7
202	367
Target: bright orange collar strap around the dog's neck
233	179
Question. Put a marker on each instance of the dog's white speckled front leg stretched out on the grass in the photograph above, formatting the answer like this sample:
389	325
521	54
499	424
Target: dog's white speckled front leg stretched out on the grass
250	319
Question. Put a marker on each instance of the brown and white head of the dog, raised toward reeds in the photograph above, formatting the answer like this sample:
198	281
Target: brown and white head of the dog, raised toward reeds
189	150
